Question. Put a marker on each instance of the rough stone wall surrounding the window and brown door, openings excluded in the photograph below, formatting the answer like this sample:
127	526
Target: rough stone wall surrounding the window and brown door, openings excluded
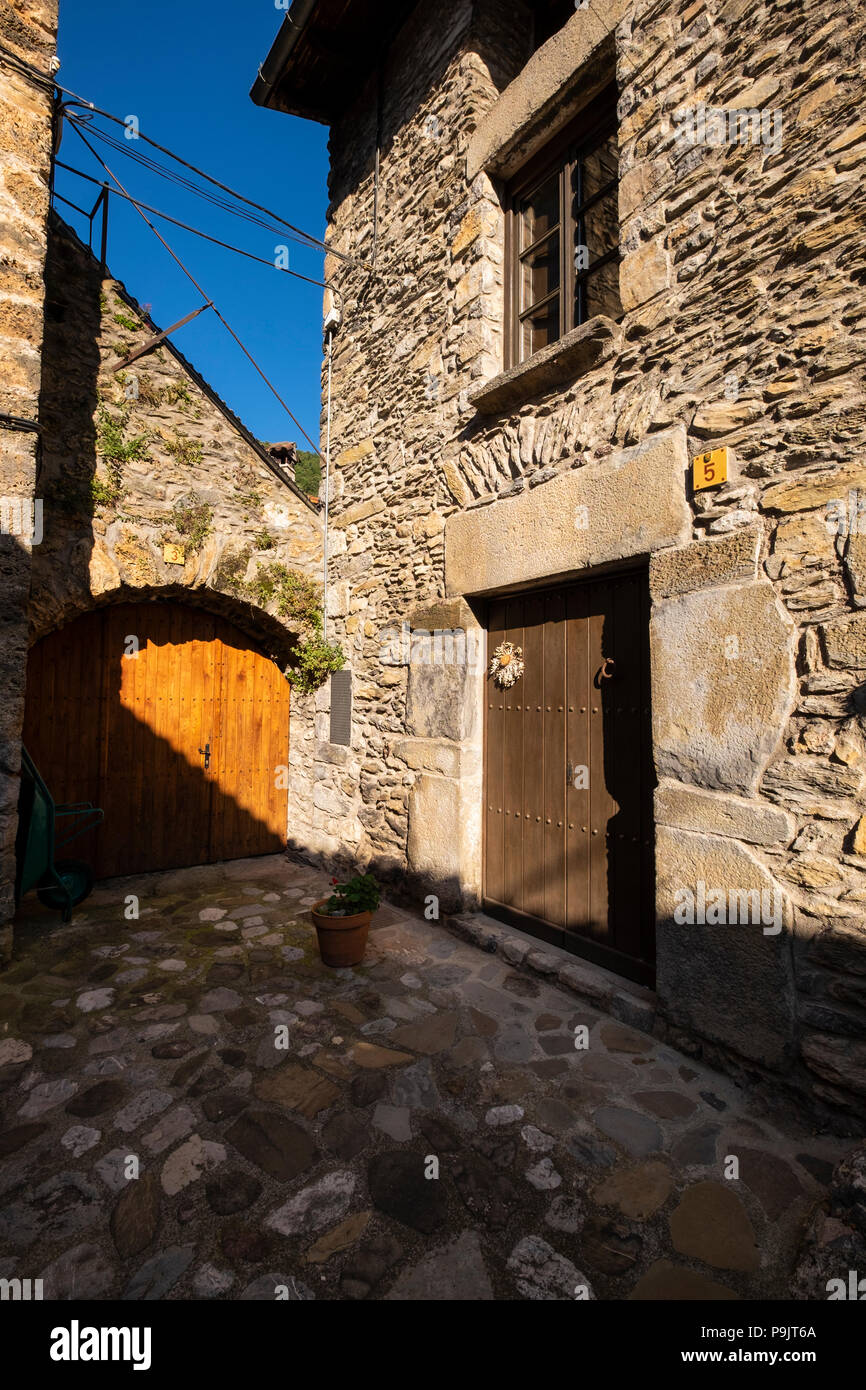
743	287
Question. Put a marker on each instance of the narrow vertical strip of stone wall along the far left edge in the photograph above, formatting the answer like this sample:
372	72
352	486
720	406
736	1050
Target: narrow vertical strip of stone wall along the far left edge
28	28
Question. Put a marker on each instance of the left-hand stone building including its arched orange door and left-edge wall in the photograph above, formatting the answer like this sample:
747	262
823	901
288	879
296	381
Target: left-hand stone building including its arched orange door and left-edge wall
161	568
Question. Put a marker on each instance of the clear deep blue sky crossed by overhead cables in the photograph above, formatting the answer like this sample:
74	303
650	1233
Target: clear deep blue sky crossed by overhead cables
186	70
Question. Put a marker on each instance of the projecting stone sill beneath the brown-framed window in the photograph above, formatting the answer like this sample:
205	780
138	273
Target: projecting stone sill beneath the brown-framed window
562	362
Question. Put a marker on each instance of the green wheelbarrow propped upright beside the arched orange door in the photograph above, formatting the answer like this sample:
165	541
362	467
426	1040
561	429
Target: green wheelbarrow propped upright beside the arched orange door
44	828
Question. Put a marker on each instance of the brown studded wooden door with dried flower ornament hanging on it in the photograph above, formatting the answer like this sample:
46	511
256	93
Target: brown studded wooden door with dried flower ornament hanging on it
569	779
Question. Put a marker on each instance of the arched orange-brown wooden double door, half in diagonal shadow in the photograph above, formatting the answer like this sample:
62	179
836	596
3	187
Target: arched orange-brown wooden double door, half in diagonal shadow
168	718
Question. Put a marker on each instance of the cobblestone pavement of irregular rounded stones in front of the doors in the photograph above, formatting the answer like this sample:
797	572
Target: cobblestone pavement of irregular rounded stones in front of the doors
308	1172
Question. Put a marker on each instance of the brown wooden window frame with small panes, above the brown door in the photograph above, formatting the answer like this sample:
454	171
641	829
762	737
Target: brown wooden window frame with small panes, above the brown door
561	158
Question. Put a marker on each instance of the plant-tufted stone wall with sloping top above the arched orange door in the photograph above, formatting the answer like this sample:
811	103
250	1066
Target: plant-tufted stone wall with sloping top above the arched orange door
195	480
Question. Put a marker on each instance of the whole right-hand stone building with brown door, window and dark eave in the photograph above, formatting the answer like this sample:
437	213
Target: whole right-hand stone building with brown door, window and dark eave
590	245
